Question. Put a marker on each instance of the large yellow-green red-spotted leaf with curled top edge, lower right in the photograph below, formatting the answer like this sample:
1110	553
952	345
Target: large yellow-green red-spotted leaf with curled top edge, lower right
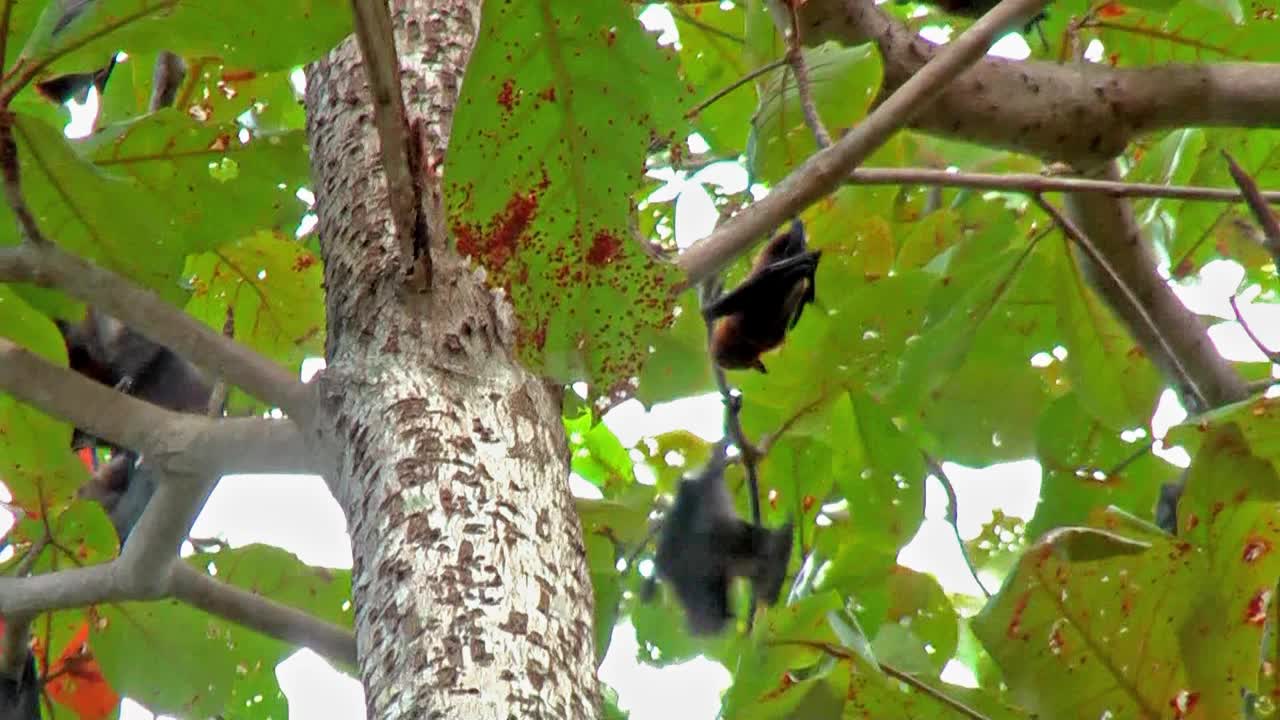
1089	625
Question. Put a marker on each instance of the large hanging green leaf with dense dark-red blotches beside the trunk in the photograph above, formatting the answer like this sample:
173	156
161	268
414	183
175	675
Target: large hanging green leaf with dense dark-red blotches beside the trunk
546	157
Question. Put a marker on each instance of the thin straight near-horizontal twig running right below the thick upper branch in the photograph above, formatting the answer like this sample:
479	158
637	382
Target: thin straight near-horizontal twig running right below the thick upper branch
1032	183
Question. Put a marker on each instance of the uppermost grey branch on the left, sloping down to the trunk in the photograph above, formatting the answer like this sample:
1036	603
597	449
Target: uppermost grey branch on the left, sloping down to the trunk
48	266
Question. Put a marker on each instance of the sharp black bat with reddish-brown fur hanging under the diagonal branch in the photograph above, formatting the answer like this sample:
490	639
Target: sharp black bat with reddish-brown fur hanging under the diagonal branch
756	316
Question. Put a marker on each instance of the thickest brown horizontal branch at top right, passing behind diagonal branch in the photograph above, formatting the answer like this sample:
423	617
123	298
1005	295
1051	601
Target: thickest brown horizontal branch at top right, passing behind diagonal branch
1080	113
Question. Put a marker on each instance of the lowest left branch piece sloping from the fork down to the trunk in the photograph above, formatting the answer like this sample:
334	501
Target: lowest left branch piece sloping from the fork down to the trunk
264	616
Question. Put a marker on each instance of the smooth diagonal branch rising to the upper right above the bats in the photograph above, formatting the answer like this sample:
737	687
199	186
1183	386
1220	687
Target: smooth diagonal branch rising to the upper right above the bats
828	168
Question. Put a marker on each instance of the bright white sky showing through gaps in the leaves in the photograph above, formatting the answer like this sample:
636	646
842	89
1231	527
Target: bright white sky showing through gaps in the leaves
245	509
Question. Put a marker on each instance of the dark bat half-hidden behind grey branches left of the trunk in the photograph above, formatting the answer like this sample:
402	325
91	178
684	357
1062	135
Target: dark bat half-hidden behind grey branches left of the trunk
106	350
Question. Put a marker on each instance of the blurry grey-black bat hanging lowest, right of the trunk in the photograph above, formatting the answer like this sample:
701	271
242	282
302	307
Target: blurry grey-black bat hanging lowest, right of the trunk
705	545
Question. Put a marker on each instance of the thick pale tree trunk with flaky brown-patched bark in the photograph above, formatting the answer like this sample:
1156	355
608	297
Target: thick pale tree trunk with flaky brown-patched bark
470	582
